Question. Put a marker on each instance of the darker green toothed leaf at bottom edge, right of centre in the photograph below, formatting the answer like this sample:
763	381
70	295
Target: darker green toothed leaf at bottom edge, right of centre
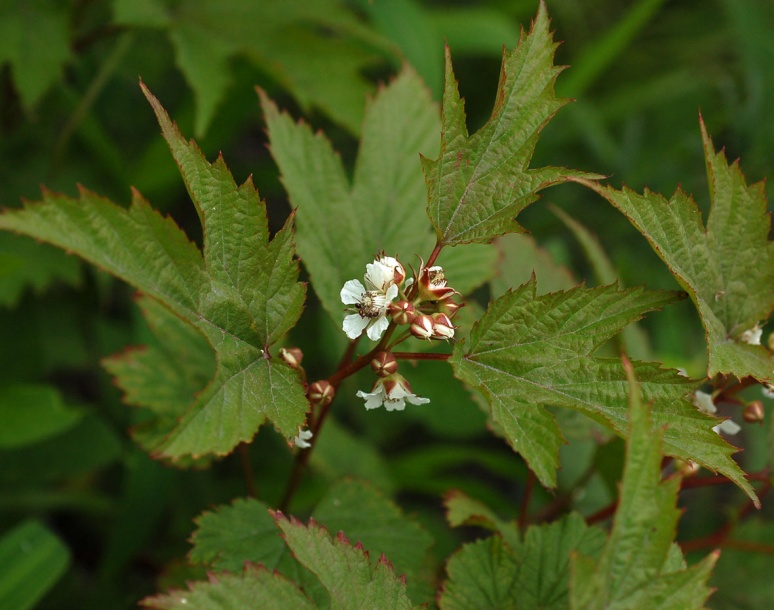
533	573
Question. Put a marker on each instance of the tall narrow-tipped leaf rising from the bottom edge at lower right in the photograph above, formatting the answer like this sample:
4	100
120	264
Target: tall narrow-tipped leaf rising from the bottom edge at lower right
640	566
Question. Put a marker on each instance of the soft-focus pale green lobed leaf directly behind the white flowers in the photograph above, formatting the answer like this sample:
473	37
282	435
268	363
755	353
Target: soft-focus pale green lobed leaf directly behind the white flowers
342	226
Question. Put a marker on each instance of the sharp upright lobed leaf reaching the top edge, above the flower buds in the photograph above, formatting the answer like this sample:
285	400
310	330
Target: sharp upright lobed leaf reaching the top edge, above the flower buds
478	184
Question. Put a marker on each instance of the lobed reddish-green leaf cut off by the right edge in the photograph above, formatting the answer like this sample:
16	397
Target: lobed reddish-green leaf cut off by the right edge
727	267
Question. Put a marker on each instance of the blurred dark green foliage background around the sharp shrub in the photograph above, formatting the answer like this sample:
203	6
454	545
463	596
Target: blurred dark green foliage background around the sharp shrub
111	524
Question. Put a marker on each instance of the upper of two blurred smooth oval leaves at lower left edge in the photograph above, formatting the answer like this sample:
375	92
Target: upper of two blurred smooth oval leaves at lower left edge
31	414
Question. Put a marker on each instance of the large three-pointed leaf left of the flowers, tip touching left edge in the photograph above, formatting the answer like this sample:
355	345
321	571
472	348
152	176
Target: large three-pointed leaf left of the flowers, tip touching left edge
242	295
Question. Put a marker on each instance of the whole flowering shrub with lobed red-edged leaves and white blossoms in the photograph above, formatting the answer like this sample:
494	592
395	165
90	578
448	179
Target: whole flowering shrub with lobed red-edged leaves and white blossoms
402	298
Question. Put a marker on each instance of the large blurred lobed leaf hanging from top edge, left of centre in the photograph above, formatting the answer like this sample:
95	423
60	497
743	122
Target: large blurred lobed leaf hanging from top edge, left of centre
313	49
